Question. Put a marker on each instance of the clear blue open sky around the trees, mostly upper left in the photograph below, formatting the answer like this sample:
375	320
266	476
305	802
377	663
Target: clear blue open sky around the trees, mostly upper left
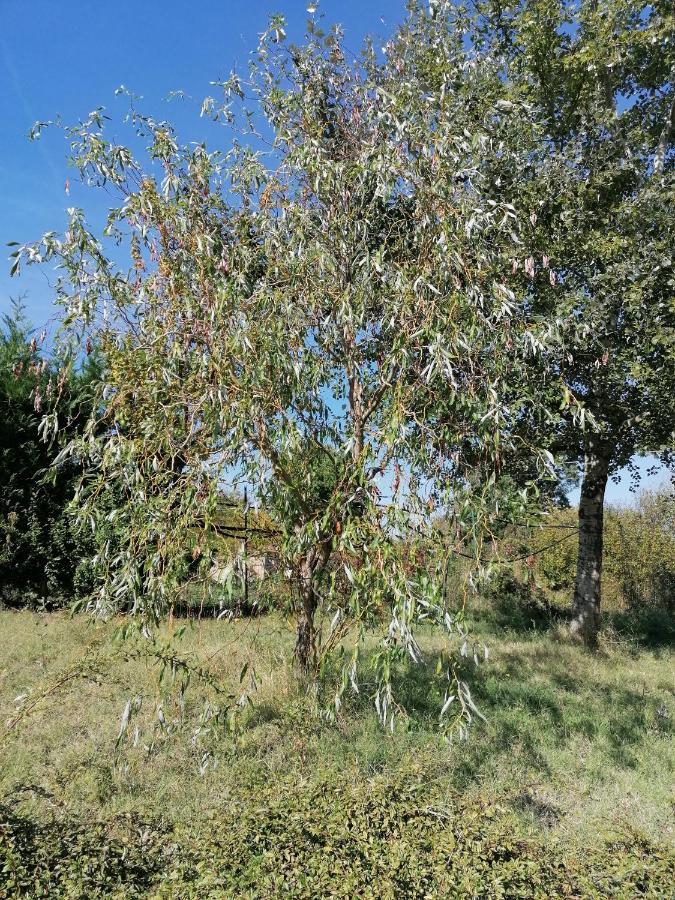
67	58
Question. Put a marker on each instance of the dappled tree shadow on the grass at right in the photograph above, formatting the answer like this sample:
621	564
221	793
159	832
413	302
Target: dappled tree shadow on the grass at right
536	704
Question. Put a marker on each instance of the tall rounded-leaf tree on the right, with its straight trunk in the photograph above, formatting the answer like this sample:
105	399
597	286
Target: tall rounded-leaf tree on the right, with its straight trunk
598	76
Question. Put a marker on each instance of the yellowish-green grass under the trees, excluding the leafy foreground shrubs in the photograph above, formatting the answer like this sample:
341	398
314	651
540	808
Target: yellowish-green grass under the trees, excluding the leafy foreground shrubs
576	744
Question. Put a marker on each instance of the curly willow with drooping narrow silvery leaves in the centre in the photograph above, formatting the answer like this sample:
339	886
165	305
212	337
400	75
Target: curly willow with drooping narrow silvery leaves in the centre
286	304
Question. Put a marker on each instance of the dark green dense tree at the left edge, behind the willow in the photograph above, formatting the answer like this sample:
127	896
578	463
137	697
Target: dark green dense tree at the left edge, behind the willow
43	556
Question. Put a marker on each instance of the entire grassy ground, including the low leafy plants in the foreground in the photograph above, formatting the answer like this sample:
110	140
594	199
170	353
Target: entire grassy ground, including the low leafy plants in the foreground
567	790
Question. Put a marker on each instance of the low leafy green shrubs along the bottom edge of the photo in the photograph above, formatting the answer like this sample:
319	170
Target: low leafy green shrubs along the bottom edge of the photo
383	839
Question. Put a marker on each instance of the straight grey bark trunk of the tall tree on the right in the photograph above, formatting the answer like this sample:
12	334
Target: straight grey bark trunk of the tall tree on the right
586	603
